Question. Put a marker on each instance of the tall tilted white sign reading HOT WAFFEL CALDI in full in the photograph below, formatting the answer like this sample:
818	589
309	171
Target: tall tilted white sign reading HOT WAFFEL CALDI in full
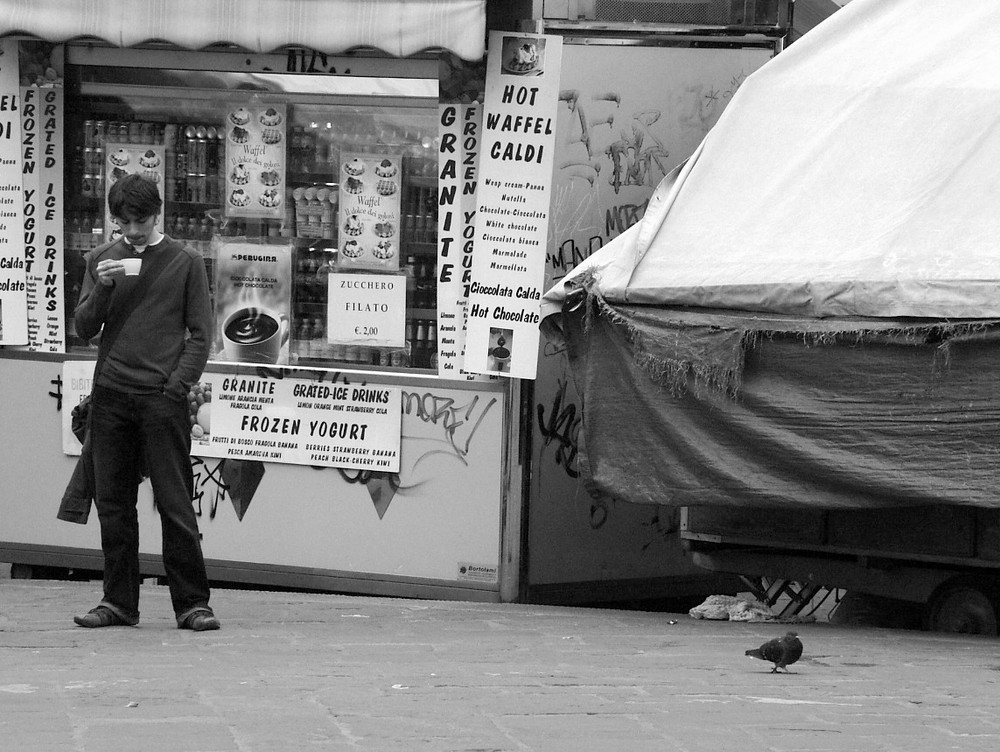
512	215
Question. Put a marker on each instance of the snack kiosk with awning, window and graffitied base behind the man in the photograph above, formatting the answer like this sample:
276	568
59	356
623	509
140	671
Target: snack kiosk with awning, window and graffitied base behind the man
300	156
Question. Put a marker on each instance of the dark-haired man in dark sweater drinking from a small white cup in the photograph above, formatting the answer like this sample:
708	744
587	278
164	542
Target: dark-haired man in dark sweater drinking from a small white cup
139	409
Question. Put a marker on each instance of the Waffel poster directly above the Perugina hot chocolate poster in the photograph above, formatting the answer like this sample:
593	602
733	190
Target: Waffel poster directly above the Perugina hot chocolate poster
255	161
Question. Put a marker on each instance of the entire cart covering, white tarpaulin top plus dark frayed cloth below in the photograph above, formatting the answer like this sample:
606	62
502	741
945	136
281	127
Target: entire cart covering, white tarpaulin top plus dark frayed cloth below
807	314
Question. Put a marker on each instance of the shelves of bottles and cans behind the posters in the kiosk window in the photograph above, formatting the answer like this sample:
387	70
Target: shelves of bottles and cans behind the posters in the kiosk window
193	187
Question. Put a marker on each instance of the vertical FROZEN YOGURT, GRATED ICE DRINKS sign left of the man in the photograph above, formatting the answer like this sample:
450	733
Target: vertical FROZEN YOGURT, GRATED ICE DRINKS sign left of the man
42	181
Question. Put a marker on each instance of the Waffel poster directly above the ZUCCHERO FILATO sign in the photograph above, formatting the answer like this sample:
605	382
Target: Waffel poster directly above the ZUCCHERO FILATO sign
369	214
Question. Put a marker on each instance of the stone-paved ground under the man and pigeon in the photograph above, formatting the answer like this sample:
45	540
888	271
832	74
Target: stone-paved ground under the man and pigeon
294	671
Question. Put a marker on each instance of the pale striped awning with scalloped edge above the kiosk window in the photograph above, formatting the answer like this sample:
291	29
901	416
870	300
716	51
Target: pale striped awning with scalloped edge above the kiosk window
397	27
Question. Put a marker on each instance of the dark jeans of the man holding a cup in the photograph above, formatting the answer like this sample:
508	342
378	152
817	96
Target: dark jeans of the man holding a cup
129	432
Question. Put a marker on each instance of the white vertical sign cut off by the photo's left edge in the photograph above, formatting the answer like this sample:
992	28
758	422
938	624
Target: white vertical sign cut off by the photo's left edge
13	284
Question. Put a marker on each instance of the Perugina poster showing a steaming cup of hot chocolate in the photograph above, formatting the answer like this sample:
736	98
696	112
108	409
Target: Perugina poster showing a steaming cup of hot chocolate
253	294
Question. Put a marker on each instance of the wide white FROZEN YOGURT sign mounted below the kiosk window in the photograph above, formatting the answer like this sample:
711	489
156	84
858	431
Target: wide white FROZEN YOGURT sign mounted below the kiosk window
298	422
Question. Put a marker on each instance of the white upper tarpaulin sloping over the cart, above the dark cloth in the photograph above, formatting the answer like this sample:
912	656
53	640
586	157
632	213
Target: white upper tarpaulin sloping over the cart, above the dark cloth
855	174
